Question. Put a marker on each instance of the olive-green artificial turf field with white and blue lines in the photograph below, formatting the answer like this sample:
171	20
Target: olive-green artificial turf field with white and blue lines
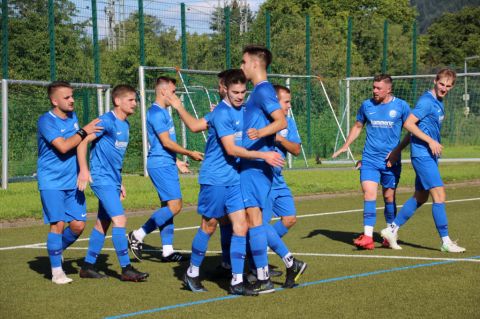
340	282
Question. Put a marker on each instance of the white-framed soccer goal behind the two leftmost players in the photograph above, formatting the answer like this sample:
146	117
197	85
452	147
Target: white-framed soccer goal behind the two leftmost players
23	101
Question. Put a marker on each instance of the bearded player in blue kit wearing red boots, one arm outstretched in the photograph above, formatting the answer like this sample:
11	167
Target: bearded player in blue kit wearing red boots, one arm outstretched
384	116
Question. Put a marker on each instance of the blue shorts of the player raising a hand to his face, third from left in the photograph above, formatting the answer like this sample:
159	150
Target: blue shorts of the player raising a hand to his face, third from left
166	182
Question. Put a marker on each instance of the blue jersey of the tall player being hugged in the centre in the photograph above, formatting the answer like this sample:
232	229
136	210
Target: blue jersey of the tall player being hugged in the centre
260	104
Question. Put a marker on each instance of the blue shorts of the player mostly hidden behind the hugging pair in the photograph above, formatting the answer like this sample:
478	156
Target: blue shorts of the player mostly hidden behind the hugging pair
279	204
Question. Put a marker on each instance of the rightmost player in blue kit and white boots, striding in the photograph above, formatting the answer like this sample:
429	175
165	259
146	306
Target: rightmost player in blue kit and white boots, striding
425	124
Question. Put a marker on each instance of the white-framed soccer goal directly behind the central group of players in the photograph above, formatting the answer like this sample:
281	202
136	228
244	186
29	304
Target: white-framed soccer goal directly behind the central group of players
199	90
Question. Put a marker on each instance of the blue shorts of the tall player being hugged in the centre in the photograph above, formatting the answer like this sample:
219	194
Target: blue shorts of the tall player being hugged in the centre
255	181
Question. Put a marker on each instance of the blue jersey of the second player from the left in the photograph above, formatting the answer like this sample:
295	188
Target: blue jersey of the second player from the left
108	151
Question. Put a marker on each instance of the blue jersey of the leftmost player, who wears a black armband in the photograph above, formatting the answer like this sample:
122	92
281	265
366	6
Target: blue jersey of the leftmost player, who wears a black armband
56	171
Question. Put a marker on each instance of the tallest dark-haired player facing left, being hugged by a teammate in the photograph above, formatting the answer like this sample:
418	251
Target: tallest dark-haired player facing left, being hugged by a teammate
262	119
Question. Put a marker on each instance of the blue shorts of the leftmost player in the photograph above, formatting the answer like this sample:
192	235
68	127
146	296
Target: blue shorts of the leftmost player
63	205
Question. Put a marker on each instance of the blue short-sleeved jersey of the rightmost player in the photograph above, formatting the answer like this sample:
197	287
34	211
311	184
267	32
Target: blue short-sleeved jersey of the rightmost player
430	112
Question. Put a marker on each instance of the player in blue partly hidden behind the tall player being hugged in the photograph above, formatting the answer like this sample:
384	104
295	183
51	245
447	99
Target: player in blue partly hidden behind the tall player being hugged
280	200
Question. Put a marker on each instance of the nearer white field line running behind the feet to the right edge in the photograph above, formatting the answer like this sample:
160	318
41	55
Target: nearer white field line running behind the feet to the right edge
218	252
